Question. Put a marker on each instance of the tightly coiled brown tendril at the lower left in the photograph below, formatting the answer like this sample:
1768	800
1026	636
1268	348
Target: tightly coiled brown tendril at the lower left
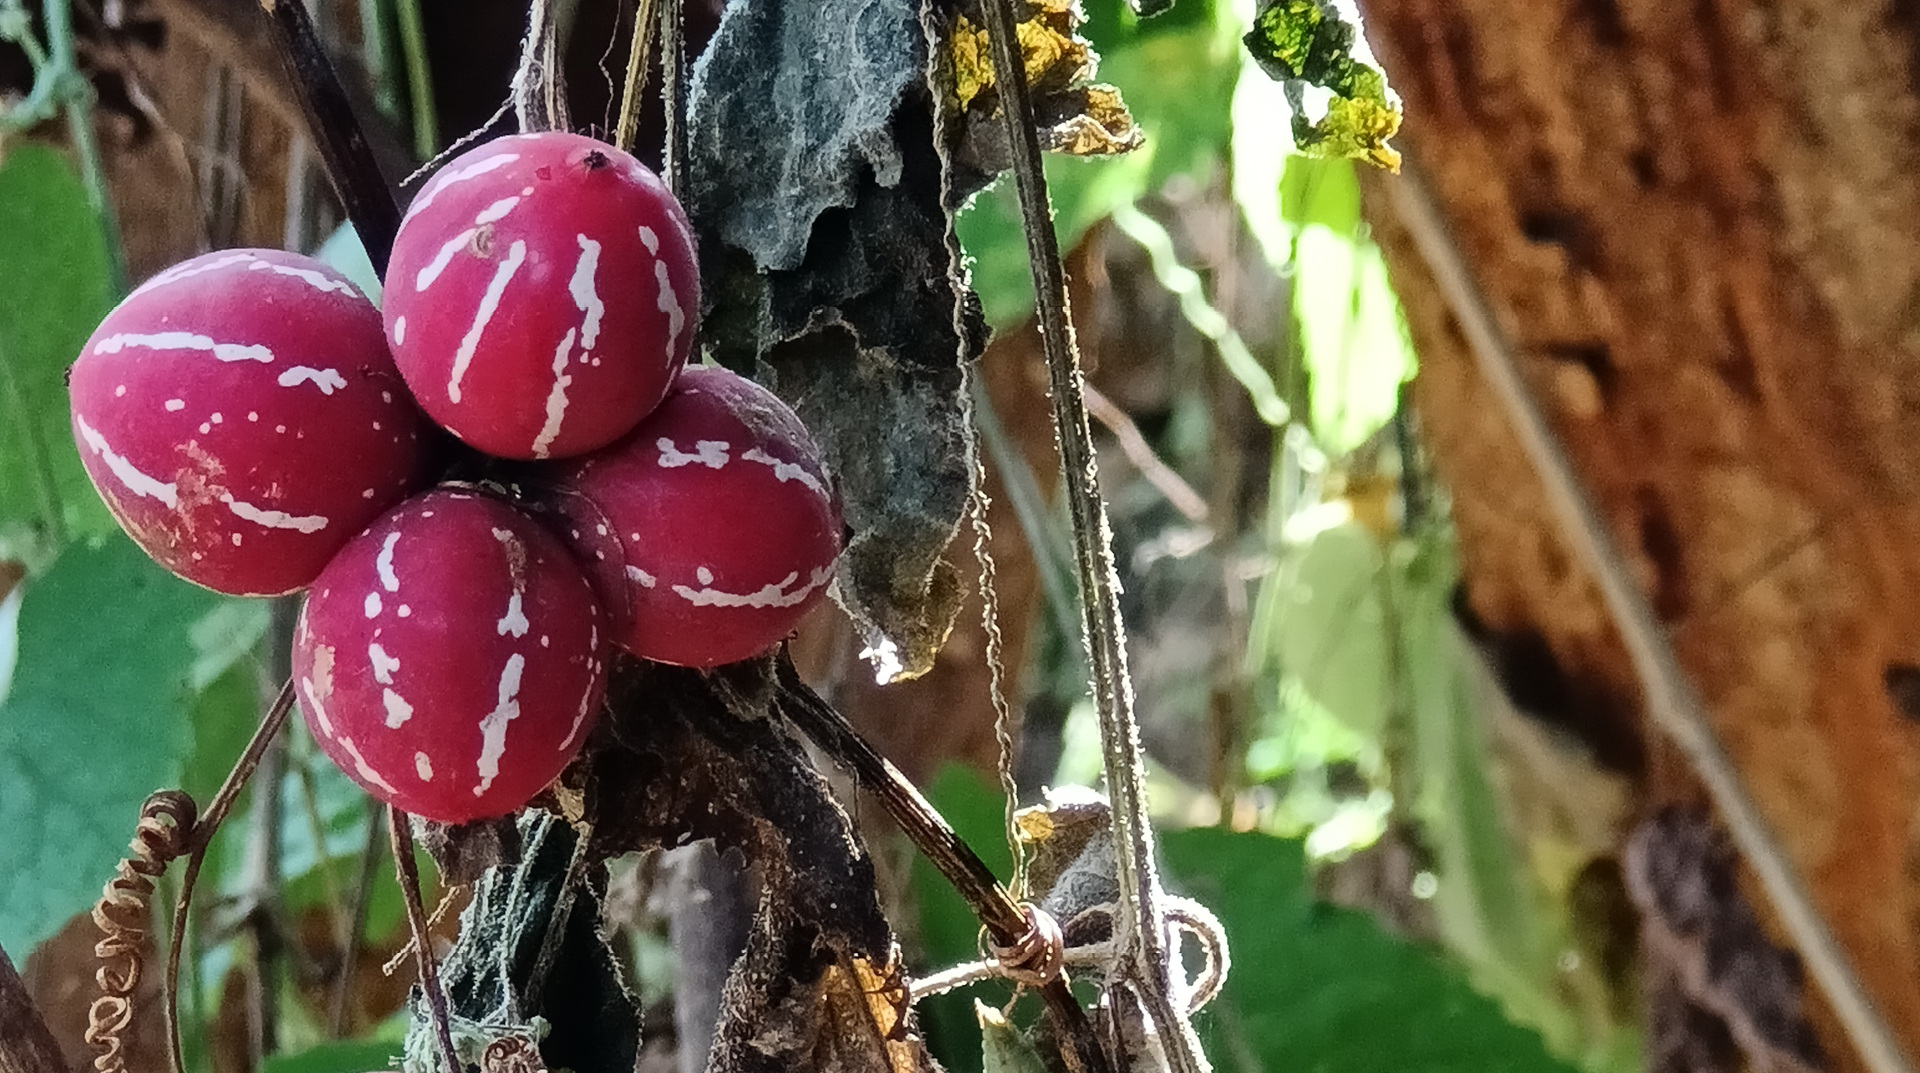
124	917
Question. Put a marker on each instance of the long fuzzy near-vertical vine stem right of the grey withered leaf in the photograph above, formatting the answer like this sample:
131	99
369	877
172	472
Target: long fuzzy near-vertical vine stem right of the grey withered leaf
1143	951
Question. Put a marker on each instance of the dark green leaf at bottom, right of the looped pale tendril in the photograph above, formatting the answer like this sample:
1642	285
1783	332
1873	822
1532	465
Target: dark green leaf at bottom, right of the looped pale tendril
1318	988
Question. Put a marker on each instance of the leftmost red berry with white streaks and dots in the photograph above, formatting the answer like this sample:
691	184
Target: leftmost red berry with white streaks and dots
243	419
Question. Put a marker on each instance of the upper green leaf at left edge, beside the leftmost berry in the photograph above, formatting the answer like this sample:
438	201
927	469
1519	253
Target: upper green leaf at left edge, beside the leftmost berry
57	283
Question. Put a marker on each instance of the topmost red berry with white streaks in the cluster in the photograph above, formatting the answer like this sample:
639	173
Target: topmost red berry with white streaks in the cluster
542	295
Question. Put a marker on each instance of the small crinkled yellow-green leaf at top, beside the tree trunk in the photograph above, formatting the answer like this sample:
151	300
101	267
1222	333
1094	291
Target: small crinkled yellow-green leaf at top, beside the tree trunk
1316	43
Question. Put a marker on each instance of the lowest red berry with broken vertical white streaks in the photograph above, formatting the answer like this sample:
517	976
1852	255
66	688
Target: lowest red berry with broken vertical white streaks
450	659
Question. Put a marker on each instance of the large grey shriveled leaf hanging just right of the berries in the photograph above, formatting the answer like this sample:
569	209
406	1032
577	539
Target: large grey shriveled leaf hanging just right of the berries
817	199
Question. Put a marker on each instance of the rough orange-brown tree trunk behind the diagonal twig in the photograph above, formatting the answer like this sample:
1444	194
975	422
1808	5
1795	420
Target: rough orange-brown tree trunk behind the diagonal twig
1702	224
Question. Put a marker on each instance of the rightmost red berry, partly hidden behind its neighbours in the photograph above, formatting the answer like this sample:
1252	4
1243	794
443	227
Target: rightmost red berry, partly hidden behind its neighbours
713	529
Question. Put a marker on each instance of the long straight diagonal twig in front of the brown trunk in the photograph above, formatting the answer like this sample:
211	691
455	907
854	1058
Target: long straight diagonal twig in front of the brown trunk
1669	696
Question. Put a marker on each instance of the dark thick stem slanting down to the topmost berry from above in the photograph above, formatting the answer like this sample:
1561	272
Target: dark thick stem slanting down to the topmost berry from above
337	131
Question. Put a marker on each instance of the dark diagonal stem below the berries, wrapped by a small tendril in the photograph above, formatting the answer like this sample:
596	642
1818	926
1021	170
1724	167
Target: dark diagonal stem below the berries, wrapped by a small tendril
930	832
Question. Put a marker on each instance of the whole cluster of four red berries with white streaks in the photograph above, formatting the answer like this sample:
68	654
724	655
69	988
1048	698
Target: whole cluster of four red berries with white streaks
260	429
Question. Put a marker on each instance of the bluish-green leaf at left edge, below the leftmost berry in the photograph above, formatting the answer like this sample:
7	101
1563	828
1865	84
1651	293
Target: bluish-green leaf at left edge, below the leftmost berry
95	721
